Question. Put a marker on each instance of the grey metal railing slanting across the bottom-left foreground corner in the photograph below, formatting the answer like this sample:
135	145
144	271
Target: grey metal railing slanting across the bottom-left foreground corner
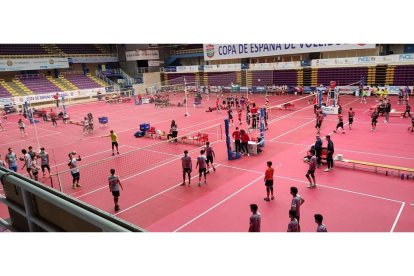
34	204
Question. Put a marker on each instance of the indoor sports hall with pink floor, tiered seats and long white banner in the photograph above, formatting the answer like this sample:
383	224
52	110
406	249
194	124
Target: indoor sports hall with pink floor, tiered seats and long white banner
276	93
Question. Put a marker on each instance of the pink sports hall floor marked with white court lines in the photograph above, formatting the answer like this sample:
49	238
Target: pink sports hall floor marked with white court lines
350	200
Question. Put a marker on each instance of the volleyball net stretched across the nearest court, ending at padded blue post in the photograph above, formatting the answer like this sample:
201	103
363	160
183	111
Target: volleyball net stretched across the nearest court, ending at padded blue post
93	176
